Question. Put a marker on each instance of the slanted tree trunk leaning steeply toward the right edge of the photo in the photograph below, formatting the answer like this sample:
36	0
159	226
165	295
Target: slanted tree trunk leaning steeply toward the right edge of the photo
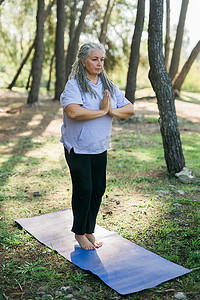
185	70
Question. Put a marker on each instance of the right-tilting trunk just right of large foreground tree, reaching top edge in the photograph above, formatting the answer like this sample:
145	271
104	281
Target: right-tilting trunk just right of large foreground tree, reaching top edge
178	41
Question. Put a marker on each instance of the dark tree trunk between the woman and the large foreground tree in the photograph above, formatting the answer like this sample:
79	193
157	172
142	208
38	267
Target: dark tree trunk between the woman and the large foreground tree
135	52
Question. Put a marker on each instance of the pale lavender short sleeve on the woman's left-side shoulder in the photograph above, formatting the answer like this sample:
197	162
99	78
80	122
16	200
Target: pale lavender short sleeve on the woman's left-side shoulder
71	94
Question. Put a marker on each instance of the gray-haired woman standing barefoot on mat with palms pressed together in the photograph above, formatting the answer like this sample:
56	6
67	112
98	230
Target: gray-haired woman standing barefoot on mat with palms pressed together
89	102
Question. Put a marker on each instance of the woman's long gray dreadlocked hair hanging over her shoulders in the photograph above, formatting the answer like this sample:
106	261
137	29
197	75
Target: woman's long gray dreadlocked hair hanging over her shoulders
78	70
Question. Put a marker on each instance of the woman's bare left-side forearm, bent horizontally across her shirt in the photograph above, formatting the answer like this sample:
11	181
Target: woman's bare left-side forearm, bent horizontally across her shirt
81	113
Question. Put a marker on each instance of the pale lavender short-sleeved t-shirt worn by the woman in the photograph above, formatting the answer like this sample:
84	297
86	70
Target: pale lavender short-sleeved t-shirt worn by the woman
88	136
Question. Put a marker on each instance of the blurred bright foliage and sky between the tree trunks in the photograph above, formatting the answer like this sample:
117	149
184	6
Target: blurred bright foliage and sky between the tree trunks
18	27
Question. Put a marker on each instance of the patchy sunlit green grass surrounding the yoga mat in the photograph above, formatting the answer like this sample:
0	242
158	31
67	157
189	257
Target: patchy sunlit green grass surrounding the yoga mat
141	203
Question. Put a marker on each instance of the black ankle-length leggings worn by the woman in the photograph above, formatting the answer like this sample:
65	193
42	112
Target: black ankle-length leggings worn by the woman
88	173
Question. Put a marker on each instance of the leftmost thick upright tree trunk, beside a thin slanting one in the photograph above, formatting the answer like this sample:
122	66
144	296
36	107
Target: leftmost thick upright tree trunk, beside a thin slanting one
38	55
